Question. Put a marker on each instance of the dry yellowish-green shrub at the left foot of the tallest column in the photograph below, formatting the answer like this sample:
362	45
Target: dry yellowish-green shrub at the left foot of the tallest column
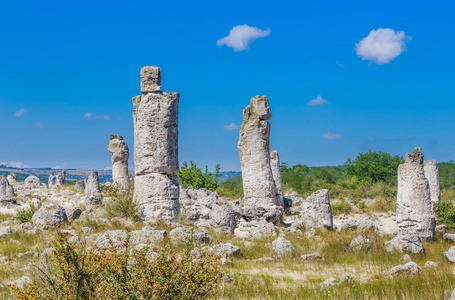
121	203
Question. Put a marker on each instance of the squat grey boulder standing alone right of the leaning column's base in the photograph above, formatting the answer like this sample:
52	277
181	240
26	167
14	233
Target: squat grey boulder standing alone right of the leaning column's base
316	210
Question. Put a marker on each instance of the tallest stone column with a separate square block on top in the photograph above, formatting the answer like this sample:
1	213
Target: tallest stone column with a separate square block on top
155	116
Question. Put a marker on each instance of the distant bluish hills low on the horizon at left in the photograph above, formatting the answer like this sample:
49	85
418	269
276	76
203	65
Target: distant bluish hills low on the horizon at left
72	174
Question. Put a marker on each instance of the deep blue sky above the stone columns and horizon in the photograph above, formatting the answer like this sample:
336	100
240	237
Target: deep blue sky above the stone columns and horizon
60	60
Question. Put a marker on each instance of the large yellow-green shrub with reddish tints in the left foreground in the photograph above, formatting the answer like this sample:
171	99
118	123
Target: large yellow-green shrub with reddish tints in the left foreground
78	273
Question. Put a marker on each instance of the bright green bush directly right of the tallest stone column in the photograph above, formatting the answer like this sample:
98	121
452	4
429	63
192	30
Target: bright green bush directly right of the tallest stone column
193	176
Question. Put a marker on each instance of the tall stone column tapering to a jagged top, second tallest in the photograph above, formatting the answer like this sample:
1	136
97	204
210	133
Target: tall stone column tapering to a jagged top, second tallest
259	188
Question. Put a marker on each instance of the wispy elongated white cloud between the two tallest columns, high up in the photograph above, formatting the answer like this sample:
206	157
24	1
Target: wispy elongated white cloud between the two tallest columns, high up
241	36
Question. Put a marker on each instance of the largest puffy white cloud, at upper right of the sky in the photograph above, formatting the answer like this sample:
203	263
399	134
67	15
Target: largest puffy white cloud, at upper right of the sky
382	45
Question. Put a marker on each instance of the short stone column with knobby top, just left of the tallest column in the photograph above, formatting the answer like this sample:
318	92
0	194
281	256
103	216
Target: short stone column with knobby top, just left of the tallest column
120	155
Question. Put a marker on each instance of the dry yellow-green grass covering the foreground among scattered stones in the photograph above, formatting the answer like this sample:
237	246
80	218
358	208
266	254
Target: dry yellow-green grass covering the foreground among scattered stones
287	278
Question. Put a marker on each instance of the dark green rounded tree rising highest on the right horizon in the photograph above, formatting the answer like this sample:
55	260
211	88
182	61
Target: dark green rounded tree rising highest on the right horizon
374	166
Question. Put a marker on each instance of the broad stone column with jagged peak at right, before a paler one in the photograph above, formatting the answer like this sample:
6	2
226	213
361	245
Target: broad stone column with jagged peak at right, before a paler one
415	214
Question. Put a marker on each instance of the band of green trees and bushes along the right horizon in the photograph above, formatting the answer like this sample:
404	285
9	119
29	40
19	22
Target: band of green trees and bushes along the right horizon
371	175
